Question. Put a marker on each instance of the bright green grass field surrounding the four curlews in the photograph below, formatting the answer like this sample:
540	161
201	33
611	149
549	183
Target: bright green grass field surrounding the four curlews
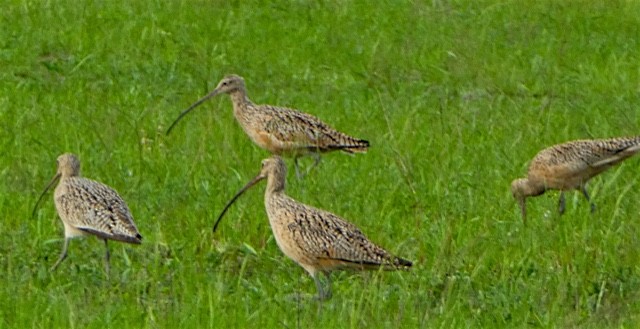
455	97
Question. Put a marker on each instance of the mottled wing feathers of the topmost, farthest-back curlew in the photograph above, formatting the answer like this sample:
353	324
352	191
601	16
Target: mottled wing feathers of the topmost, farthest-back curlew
305	131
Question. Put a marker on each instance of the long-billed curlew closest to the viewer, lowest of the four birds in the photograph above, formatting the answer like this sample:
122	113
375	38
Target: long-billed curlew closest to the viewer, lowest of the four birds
317	240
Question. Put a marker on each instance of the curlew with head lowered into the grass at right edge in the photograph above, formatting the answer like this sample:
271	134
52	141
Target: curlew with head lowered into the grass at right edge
569	166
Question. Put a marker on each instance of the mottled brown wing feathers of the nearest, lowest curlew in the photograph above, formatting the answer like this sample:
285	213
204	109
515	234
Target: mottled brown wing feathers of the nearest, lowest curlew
330	239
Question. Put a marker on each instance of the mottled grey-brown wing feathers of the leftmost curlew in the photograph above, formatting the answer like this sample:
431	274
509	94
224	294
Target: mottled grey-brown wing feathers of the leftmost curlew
97	209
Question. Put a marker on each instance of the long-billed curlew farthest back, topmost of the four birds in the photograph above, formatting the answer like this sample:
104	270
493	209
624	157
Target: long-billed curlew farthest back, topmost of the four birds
281	131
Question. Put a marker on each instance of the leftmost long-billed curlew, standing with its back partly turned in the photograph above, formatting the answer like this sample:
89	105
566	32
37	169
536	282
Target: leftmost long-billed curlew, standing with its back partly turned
89	207
